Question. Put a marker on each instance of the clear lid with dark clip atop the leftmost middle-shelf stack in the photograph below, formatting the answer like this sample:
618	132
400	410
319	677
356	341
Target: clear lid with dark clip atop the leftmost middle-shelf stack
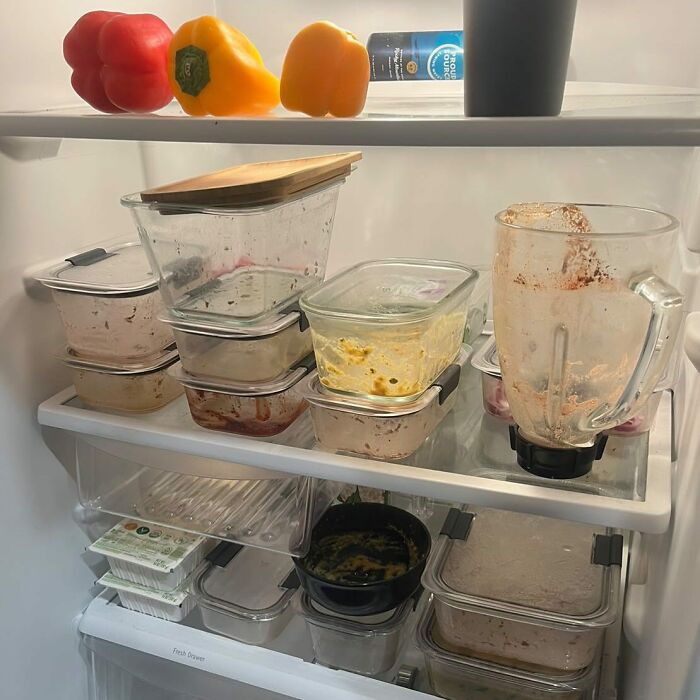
114	269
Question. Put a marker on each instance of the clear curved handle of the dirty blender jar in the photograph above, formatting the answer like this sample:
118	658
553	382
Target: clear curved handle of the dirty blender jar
666	314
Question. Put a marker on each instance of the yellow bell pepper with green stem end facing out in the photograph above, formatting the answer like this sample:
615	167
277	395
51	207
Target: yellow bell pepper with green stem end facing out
214	68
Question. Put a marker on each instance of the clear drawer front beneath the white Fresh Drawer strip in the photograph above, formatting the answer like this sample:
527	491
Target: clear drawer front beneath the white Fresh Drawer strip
119	673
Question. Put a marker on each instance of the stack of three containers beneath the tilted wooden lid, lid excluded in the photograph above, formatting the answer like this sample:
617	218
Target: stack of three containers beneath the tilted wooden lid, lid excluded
230	277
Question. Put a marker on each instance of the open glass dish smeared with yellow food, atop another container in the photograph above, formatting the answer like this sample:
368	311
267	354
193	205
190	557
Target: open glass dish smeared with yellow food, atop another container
385	330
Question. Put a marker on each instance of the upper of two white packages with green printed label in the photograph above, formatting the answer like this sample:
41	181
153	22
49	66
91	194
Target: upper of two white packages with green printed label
154	557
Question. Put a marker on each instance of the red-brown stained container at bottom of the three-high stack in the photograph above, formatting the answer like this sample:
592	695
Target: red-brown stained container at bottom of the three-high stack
258	409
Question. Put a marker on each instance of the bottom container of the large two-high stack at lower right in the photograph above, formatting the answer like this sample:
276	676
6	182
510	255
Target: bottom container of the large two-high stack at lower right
456	677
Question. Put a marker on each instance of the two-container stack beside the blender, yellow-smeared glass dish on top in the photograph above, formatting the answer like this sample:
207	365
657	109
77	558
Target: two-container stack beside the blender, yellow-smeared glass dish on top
387	337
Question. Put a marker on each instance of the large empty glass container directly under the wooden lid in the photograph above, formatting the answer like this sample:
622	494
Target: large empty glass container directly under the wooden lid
237	264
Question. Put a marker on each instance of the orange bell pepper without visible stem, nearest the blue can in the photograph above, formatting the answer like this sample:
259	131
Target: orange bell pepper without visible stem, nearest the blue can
326	71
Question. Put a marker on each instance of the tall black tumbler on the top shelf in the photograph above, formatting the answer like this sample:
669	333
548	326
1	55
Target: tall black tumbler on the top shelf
516	53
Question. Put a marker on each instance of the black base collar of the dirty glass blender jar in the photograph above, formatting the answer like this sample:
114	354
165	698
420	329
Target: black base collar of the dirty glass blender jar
553	462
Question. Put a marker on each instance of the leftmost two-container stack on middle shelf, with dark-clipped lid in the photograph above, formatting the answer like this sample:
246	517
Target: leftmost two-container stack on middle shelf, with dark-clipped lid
118	350
